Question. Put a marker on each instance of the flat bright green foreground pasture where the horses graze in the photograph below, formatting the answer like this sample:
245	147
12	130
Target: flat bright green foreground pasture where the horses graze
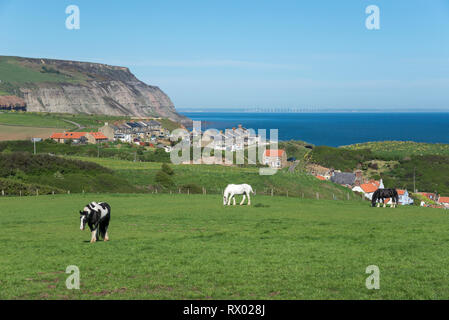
191	247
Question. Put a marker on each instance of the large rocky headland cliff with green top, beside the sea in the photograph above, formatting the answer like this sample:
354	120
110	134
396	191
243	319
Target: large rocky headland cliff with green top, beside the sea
81	87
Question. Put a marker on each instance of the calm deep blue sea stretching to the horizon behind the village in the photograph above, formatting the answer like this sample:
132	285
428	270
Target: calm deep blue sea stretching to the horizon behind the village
336	129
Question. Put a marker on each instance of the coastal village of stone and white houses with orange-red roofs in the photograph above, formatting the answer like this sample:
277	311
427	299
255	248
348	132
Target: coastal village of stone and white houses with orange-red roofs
150	133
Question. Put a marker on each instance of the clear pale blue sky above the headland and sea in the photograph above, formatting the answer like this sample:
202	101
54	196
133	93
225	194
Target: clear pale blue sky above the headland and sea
252	53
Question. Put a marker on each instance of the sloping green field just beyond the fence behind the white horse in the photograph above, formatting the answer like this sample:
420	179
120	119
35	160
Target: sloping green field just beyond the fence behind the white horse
214	179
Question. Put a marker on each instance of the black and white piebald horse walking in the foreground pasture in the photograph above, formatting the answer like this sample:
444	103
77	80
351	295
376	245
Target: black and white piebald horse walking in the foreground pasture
97	216
